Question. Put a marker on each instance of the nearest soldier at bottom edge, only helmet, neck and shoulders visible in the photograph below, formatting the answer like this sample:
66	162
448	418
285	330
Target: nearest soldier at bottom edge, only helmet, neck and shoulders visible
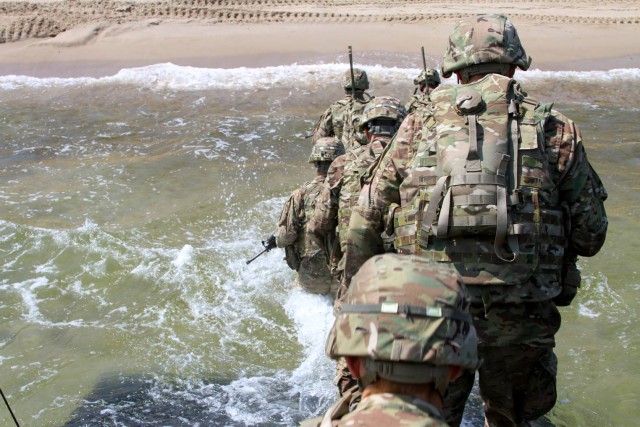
405	332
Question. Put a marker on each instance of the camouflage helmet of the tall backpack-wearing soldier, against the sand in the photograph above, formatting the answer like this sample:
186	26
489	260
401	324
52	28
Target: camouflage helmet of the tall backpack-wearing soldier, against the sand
484	39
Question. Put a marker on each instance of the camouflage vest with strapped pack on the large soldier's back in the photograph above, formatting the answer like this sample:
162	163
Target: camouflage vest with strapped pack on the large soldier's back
479	193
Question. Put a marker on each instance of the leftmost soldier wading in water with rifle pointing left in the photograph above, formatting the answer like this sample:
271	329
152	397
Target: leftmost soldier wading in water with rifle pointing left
303	255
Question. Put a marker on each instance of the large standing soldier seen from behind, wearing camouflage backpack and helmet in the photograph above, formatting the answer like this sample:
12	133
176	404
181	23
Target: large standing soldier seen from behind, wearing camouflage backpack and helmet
500	188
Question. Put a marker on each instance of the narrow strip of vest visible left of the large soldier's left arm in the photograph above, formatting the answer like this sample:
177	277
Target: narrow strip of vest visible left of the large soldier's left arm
357	163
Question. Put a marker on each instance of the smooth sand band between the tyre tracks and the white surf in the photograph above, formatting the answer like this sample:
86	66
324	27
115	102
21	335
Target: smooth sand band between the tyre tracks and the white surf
103	48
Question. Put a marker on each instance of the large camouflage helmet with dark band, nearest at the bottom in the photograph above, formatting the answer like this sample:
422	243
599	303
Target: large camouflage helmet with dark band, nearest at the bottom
408	317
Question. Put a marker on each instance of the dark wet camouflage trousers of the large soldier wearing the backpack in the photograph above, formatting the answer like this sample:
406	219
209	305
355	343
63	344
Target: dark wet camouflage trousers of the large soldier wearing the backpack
517	380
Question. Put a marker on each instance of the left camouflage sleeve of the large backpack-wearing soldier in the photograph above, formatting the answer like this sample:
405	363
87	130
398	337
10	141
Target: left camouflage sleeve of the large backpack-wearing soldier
381	190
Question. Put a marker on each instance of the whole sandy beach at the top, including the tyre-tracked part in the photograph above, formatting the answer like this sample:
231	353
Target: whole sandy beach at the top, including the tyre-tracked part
92	38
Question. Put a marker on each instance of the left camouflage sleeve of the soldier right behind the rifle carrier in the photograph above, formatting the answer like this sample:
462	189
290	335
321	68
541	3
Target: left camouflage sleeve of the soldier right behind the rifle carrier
325	216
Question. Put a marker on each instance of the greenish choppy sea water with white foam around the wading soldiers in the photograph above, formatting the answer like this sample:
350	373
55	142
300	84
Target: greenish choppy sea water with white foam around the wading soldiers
130	203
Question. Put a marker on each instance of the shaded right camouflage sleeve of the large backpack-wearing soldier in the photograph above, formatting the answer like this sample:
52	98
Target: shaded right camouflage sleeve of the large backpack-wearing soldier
581	191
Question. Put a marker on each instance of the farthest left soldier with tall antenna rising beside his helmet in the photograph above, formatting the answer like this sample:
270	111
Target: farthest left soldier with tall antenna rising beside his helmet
341	113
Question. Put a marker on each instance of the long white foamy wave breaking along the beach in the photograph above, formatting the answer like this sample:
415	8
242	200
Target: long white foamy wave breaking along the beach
168	76
